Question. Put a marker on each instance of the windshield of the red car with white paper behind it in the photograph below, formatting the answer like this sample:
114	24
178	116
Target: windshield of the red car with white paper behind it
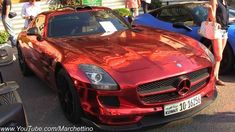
85	23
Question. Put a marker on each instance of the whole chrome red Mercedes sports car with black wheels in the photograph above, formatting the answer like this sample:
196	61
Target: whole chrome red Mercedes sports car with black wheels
115	76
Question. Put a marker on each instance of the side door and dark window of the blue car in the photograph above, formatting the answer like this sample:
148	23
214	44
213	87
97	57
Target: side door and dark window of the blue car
170	16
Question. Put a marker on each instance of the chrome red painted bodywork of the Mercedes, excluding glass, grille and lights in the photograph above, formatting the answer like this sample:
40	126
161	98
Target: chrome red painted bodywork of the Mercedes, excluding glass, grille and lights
132	57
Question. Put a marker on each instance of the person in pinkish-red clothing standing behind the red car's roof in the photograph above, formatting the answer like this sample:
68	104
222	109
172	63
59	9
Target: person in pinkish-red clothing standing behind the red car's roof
133	6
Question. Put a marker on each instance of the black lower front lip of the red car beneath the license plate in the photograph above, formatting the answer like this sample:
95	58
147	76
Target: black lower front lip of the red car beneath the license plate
156	118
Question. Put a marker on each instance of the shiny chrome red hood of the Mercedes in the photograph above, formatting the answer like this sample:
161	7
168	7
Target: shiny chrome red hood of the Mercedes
140	49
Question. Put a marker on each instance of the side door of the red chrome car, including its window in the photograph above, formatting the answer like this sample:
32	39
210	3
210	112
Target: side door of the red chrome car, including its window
44	51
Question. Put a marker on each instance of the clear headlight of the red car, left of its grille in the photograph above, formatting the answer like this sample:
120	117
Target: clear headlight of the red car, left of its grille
98	77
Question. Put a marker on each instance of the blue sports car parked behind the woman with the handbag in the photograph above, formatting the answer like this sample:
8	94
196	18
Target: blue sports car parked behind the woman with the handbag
186	19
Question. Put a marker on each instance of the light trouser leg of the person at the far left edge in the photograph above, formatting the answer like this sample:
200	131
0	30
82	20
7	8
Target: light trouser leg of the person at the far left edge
8	27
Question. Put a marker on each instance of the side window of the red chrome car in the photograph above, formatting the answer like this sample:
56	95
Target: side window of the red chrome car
39	23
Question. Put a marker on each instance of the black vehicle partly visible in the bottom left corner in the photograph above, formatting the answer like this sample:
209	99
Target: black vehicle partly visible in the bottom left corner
12	112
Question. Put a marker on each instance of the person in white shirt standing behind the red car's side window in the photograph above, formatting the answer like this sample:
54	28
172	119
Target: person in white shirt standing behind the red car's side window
29	11
